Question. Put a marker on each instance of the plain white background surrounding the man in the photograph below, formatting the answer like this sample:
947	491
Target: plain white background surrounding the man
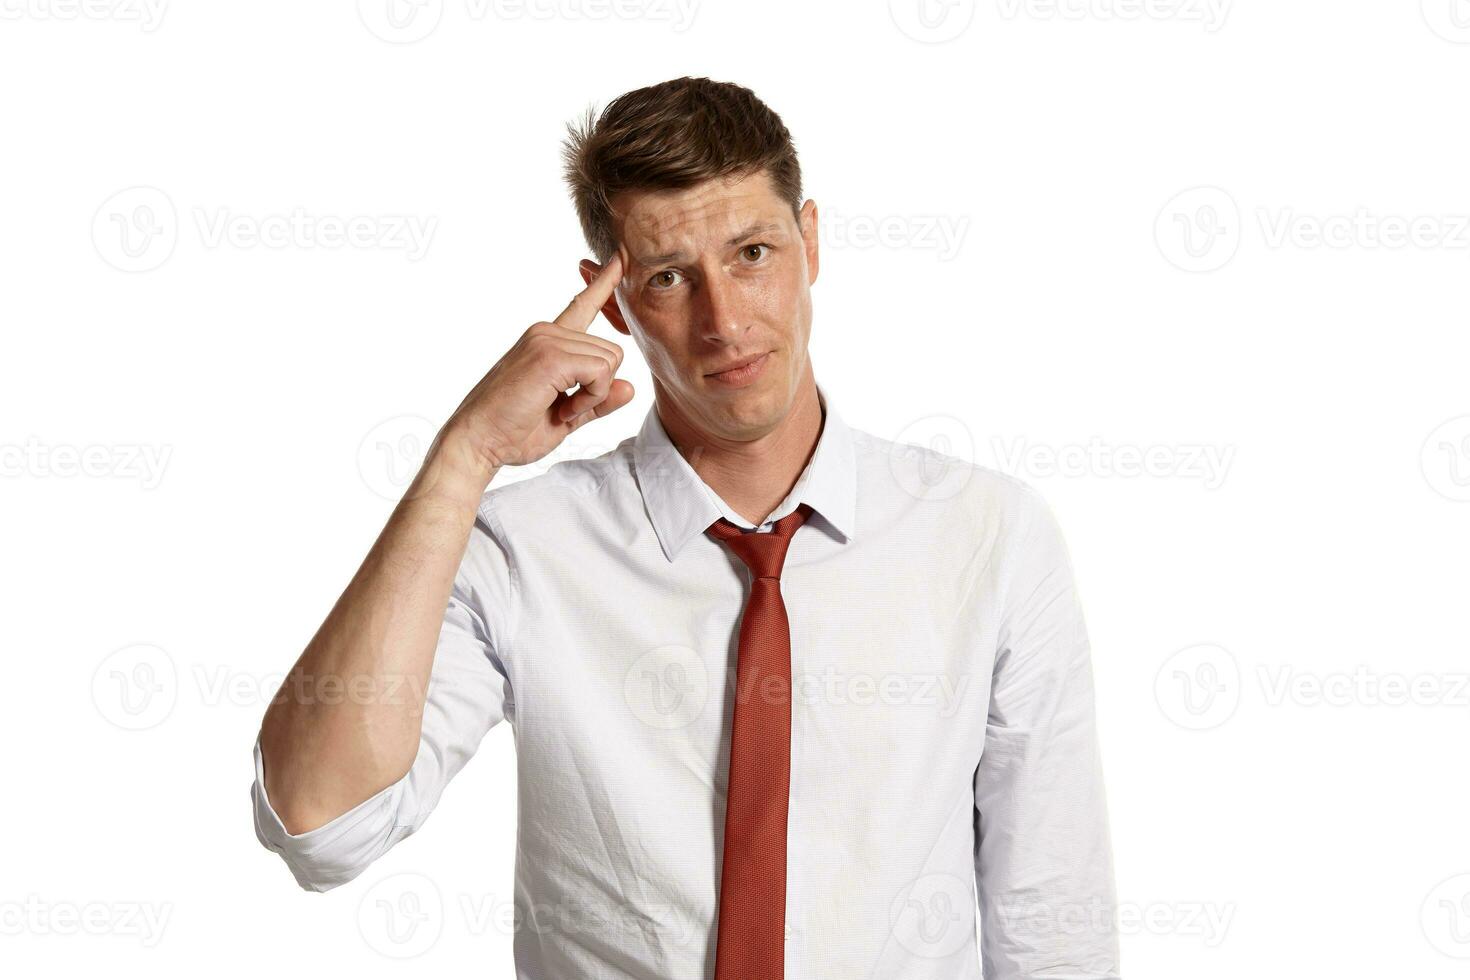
202	433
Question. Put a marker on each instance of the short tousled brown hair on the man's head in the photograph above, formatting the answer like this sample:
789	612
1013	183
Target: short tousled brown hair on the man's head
670	137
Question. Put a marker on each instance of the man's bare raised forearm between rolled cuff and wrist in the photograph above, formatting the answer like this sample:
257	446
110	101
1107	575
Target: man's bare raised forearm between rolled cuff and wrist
346	722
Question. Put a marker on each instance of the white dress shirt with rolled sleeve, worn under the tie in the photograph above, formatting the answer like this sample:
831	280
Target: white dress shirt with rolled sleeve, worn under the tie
944	762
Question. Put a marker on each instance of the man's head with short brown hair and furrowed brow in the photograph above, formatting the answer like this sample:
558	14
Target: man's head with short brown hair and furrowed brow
695	187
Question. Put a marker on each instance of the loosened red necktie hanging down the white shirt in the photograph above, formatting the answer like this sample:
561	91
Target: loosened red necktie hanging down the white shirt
752	929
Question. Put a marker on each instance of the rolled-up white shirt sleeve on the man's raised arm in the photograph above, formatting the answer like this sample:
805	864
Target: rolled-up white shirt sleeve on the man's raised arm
468	694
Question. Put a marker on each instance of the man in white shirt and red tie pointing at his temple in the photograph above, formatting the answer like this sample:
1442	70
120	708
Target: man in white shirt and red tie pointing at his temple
786	706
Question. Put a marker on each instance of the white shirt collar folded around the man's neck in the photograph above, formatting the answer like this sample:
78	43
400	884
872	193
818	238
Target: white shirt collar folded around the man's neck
681	505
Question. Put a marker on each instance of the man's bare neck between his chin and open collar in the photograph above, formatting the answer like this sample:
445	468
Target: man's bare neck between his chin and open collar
752	475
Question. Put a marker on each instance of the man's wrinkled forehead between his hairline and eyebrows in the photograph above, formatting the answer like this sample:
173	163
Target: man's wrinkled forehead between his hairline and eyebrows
705	215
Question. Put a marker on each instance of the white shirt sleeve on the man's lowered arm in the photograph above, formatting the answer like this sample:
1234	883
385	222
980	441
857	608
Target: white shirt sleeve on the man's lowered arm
1043	860
